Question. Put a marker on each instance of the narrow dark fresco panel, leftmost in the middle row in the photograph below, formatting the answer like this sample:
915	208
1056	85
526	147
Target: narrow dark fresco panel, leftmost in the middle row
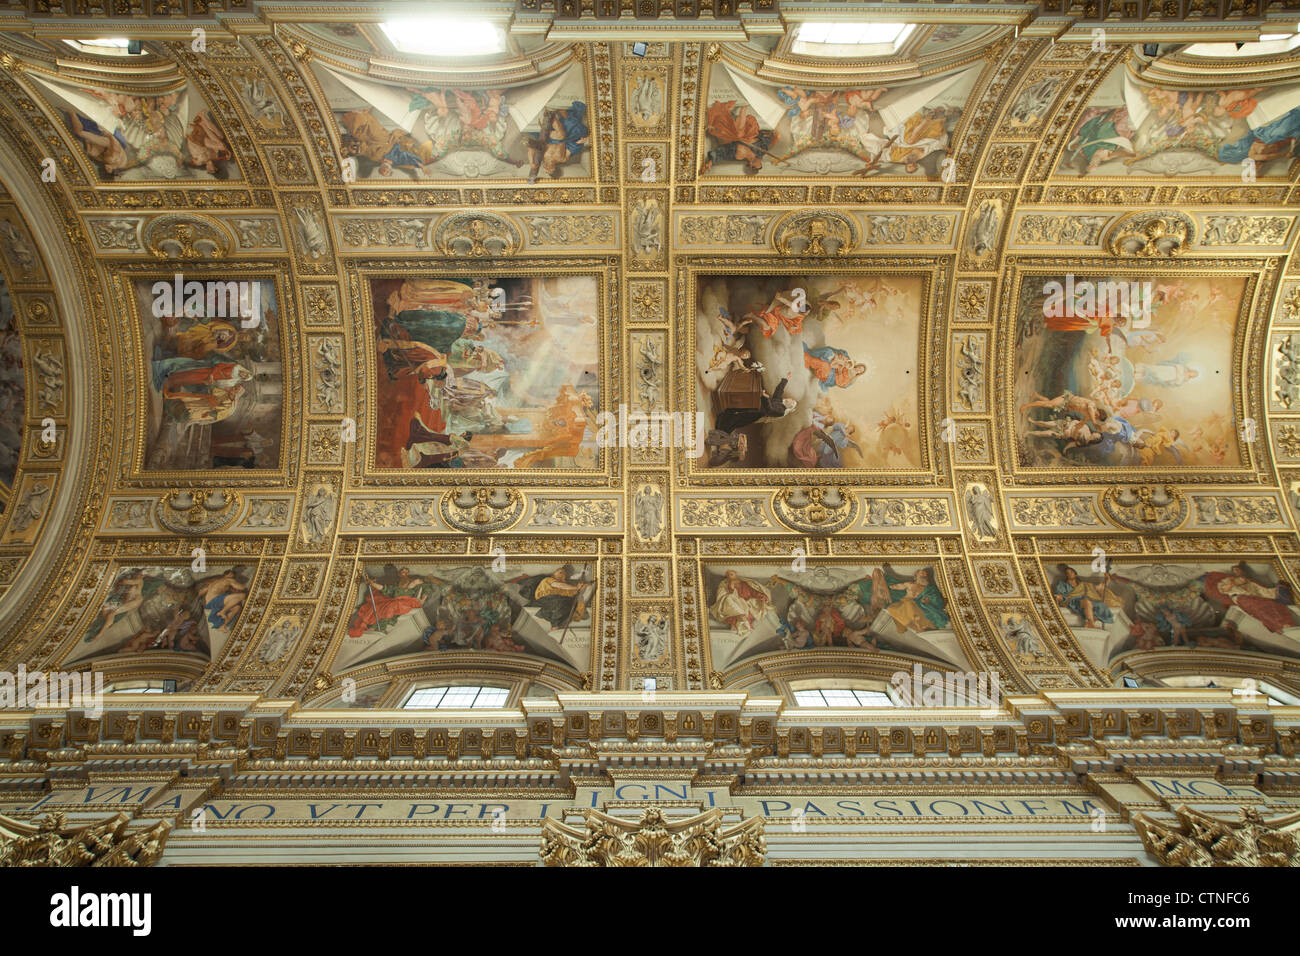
216	388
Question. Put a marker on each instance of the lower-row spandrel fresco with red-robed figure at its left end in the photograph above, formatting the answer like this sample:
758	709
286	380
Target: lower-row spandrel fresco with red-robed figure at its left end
544	611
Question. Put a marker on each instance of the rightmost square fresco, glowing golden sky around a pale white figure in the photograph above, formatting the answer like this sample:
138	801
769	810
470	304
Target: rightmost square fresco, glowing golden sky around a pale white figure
1107	384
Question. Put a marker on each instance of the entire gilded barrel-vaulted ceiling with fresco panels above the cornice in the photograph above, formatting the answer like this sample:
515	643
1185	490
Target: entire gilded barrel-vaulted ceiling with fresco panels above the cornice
707	361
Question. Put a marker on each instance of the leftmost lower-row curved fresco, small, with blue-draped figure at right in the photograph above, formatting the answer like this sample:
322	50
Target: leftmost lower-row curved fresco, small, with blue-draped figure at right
175	609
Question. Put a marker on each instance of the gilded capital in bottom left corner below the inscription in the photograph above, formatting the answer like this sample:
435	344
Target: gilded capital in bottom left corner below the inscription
107	843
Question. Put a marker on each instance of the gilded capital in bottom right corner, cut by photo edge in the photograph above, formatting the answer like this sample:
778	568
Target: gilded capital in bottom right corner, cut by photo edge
1201	840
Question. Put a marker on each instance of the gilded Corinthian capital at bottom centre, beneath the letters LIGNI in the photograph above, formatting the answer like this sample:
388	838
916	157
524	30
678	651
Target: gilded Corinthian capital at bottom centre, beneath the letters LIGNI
653	841
